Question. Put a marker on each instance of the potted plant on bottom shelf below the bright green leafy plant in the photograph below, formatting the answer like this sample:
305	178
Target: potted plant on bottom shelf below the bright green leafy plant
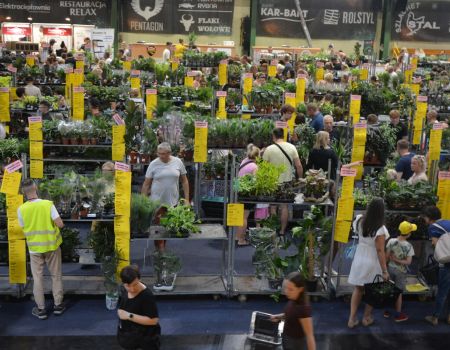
166	265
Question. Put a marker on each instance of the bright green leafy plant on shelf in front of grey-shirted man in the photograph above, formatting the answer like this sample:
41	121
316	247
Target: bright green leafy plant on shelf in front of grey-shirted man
180	220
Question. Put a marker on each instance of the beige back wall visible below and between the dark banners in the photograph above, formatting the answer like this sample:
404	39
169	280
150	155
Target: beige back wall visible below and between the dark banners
242	9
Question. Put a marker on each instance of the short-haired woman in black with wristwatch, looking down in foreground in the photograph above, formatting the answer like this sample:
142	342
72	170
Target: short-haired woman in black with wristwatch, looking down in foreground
138	315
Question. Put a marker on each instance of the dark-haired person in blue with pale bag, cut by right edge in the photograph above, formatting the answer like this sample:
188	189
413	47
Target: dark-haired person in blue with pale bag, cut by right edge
436	229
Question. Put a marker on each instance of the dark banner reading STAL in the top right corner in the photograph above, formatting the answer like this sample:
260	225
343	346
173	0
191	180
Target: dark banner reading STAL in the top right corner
422	21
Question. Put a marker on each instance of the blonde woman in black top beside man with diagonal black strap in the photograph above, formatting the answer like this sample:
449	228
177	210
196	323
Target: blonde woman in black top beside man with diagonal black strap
322	153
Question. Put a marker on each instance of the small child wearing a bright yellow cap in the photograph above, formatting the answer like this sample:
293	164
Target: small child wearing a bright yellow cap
399	253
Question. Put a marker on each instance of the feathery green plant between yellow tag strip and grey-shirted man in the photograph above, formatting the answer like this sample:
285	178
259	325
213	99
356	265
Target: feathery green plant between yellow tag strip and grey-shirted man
143	210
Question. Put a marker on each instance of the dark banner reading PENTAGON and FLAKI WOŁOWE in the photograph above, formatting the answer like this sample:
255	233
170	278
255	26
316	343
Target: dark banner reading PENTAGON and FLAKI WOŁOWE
204	17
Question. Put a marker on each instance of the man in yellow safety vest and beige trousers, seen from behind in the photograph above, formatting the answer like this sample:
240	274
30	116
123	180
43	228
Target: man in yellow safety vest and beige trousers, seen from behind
41	223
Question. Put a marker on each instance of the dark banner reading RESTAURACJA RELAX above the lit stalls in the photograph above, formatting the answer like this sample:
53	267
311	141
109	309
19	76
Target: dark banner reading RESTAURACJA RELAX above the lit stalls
96	12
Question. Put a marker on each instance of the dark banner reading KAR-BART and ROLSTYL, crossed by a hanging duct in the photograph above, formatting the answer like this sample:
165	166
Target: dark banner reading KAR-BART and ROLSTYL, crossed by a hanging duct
326	19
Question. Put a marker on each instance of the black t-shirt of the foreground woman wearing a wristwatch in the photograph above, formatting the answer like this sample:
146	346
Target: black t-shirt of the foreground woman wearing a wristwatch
142	304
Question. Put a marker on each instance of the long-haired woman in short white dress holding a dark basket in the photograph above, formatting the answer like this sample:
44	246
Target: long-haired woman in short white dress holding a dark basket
370	259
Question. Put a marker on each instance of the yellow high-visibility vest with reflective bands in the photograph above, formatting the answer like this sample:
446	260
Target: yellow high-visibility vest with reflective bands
40	231
